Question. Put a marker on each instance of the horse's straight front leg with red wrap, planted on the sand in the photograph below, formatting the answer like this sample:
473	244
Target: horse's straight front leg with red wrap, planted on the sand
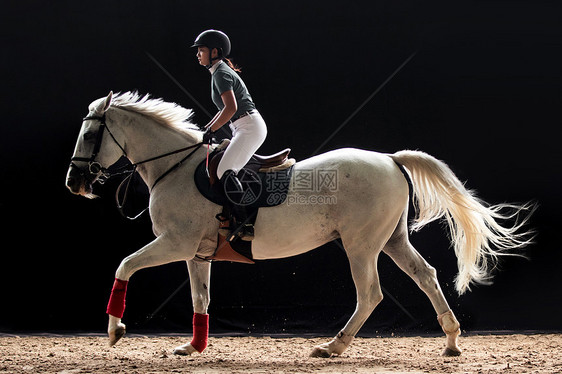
199	277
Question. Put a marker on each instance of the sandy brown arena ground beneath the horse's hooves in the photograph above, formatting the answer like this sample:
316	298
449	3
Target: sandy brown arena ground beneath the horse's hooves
539	353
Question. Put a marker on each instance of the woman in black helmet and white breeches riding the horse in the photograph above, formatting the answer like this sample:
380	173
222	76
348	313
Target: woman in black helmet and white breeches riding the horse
230	95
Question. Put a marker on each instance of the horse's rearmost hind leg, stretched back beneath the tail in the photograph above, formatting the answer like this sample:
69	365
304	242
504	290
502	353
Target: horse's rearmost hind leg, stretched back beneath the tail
412	263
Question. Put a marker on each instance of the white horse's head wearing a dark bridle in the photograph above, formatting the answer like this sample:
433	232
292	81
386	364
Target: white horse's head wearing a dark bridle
96	149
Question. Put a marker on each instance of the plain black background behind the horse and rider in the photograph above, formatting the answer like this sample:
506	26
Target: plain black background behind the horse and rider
482	92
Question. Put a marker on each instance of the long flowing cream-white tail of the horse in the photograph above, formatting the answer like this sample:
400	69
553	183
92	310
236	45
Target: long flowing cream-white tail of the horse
477	236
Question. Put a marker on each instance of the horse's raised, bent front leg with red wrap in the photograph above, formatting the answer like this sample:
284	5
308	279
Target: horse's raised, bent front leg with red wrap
162	250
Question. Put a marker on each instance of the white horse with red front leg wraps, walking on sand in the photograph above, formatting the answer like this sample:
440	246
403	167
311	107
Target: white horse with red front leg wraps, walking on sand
368	210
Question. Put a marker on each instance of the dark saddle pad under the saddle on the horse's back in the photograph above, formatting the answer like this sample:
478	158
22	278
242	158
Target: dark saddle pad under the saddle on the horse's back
262	189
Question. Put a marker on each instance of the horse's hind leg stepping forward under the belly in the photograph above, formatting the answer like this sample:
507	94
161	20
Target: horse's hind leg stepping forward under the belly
363	265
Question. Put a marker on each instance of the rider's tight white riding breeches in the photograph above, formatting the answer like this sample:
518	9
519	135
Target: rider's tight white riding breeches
248	134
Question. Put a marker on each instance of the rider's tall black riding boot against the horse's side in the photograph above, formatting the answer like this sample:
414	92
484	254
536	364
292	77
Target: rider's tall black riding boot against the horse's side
234	191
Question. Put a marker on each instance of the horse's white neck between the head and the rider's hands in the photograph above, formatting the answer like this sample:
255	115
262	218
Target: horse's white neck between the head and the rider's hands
146	139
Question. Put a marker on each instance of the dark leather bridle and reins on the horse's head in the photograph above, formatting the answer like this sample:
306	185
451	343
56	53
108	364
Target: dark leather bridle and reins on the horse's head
95	169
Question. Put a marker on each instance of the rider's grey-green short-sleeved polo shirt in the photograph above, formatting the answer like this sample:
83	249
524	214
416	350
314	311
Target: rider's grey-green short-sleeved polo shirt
224	79
